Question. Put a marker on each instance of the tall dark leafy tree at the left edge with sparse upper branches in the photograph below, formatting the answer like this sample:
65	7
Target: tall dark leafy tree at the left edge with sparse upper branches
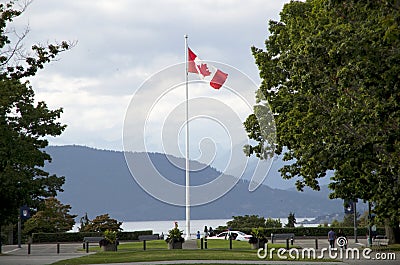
24	124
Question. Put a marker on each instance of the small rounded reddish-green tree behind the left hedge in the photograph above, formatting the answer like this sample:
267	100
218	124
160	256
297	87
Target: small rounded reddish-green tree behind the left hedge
52	217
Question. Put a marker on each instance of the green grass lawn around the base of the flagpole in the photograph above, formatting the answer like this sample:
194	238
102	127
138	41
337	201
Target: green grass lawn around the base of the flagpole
157	251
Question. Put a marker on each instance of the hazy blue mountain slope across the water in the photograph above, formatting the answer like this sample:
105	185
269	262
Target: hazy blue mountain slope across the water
98	181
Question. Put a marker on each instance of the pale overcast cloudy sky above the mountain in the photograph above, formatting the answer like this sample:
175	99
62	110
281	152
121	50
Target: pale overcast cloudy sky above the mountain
123	45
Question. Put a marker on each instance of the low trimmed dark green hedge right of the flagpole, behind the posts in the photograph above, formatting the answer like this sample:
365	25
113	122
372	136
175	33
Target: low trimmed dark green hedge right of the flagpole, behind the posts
311	231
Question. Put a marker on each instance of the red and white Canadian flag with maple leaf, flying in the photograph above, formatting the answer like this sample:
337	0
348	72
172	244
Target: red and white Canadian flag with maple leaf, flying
206	71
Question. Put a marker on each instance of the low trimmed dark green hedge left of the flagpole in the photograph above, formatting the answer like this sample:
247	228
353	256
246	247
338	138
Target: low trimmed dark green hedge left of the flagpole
78	236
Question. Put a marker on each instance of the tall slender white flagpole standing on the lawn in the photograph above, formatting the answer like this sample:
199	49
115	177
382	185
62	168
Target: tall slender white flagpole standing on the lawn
187	144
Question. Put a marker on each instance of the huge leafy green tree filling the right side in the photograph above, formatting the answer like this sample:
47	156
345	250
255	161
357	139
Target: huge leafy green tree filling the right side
330	76
